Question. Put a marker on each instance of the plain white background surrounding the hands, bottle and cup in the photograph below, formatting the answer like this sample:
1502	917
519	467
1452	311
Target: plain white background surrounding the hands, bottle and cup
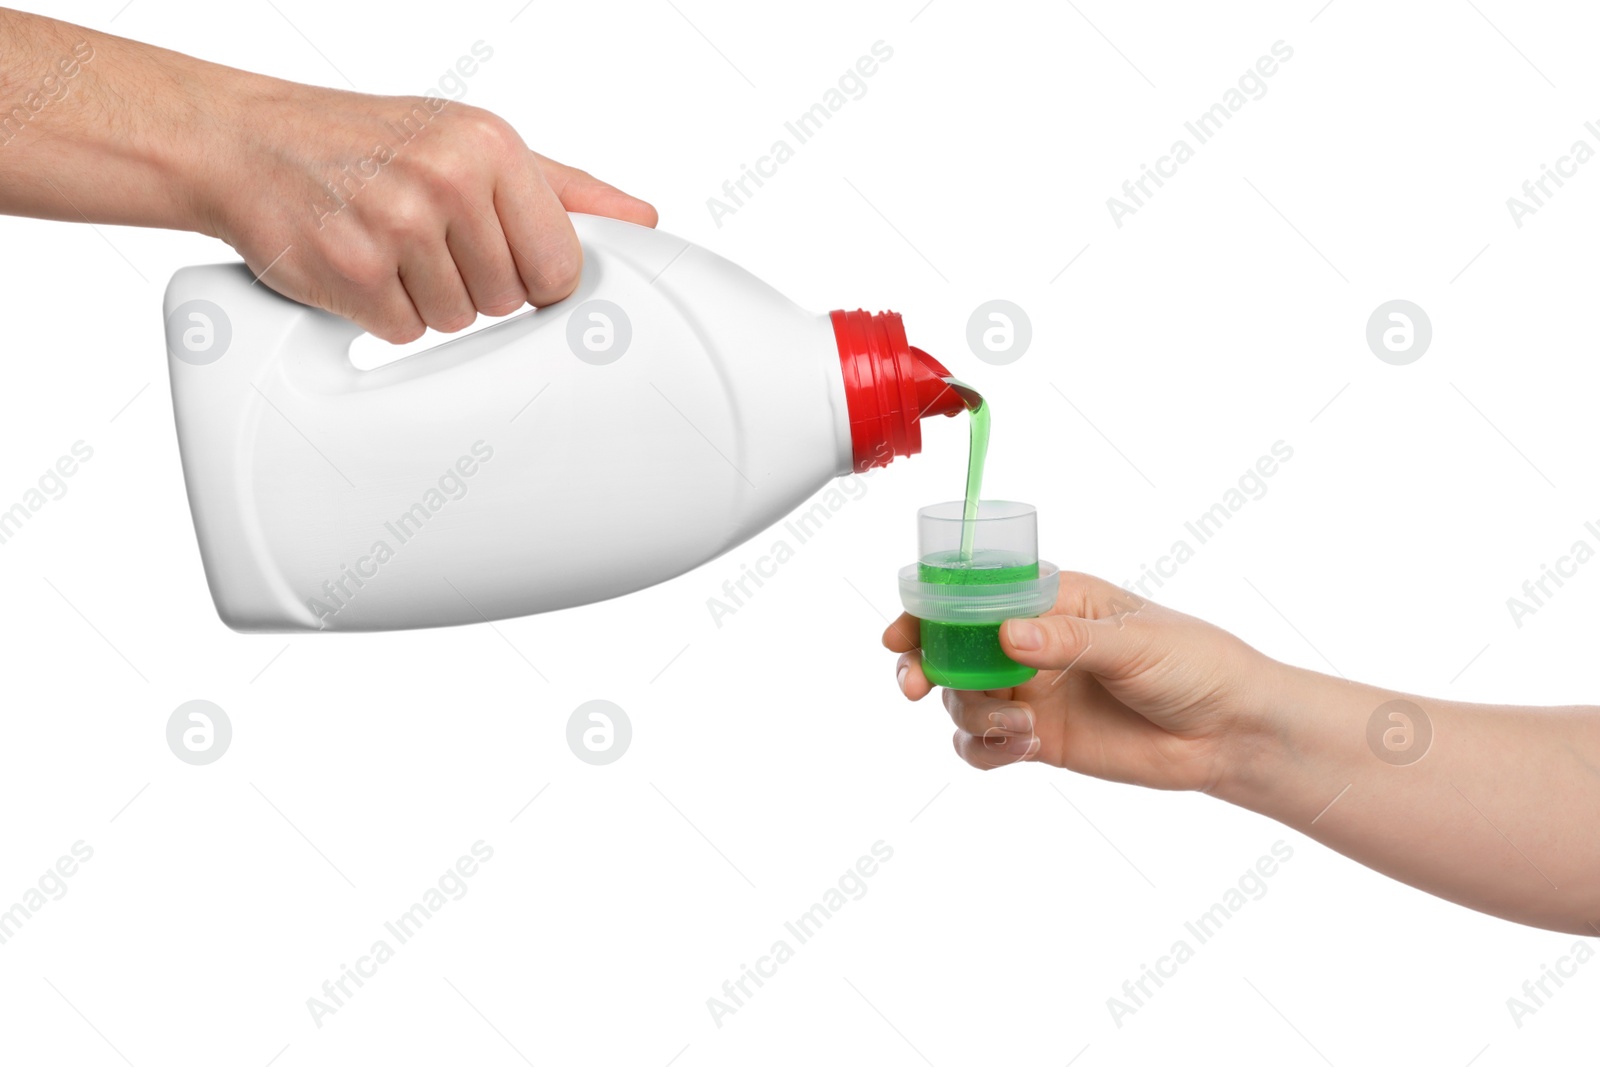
772	753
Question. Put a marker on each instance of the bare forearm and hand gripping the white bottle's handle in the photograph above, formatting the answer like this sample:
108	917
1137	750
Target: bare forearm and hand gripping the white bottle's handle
391	210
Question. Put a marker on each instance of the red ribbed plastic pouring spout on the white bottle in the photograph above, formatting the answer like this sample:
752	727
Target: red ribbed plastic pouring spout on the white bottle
889	388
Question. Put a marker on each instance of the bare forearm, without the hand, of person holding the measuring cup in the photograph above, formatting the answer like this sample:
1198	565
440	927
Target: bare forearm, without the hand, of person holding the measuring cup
1498	813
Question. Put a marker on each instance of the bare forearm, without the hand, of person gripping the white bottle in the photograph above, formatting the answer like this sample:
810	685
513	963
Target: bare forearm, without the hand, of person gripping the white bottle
106	130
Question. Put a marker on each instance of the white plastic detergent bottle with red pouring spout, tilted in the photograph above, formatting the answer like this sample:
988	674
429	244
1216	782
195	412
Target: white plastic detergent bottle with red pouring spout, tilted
665	414
